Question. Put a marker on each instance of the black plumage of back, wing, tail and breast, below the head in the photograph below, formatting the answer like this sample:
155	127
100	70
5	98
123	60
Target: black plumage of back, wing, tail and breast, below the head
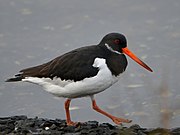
76	65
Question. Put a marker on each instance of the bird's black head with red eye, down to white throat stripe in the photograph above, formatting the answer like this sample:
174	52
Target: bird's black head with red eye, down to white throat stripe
114	42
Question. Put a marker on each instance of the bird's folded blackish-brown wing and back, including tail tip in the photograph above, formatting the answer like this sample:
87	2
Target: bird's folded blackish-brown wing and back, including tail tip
75	65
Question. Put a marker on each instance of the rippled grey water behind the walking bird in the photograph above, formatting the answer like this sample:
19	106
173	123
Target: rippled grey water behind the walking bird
34	32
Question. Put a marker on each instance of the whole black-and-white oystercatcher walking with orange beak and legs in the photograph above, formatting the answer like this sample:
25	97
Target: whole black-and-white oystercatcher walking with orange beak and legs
83	72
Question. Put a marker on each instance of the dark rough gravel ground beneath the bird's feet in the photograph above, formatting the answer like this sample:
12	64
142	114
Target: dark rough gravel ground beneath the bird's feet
36	126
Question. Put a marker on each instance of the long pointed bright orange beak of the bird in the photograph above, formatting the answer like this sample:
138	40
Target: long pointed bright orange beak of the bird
135	58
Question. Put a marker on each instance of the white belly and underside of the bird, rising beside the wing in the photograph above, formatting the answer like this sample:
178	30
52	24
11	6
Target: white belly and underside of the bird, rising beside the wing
85	87
